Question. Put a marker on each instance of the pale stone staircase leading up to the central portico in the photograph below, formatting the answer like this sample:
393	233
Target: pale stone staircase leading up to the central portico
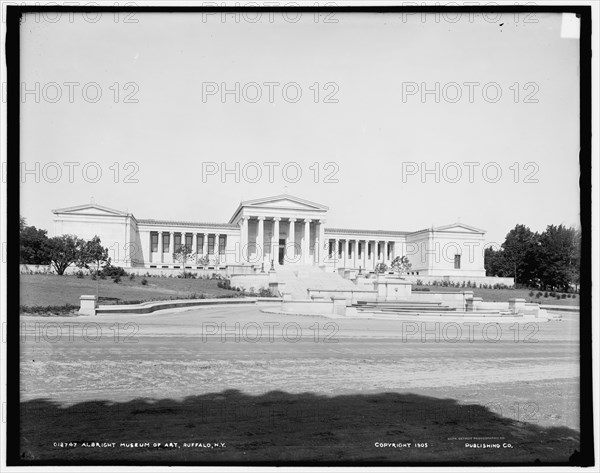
299	278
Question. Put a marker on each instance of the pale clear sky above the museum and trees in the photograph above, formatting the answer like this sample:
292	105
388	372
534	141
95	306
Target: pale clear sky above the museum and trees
362	134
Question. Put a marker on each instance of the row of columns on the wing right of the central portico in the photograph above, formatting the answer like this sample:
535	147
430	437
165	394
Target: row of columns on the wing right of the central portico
369	258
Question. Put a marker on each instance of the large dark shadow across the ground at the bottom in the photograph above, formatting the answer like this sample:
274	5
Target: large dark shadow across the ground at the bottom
283	428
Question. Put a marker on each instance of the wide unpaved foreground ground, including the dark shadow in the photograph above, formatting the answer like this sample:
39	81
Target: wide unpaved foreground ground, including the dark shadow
262	388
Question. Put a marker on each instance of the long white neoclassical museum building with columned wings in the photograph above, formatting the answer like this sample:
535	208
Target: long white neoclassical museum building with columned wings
280	230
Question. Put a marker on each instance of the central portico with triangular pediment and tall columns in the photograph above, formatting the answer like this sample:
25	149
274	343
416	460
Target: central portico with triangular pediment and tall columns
282	230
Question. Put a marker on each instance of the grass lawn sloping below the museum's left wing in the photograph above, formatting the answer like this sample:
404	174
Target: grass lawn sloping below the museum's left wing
53	290
